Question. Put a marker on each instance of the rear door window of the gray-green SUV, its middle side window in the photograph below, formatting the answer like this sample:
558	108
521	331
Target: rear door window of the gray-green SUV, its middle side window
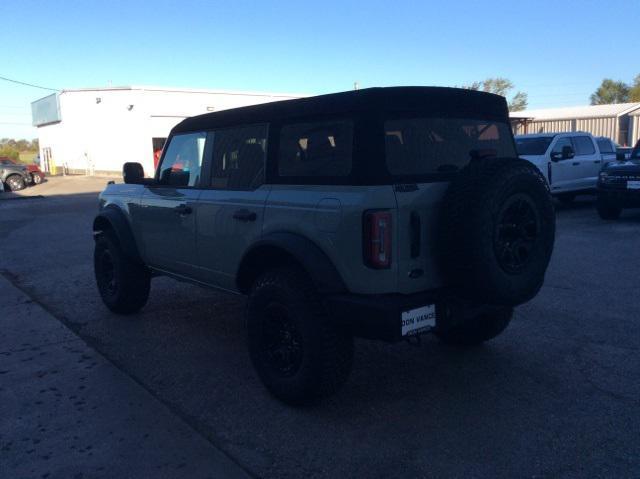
239	157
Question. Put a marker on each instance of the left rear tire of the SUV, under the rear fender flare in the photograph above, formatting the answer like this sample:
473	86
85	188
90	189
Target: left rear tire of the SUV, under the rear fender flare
320	354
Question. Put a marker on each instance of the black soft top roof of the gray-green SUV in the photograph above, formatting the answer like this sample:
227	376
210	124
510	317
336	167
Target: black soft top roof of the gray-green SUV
431	101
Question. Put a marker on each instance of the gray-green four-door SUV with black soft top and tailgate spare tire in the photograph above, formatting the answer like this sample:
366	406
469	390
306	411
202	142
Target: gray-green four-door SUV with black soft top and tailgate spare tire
383	213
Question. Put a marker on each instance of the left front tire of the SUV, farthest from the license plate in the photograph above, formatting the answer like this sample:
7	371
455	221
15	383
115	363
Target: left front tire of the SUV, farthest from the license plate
123	283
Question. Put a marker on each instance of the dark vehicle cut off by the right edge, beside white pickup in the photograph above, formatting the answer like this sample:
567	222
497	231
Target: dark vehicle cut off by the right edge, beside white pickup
619	186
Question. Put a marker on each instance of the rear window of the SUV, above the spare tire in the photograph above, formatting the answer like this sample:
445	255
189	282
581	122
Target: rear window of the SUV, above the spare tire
422	146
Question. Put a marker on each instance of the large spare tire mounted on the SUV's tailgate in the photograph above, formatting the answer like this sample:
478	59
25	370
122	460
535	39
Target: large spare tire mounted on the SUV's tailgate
496	231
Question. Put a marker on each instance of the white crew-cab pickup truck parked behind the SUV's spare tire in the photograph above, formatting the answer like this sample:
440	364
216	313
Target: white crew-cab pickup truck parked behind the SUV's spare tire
570	162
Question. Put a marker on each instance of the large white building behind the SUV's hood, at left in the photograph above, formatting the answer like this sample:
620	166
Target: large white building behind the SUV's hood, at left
96	130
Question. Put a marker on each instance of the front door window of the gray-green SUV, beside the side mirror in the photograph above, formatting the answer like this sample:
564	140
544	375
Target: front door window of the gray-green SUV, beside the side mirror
181	163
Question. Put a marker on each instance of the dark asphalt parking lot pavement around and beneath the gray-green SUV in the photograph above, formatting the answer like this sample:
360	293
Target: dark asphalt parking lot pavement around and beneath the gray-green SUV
557	395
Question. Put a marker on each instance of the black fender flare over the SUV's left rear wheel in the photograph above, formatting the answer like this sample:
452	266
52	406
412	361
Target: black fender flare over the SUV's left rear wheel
276	247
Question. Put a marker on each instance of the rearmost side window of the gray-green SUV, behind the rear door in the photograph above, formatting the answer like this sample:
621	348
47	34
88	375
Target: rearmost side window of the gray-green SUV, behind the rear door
322	148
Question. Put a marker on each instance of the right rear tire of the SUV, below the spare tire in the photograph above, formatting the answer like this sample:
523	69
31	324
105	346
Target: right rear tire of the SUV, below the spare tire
479	329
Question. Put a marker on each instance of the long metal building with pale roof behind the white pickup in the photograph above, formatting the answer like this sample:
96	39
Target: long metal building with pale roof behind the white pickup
620	122
